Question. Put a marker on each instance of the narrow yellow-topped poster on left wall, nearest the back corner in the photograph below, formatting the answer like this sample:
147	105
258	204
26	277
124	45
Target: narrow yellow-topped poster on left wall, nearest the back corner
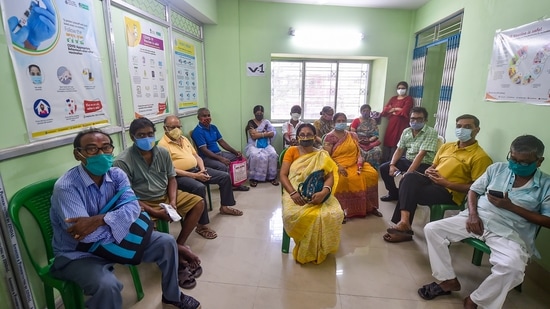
186	75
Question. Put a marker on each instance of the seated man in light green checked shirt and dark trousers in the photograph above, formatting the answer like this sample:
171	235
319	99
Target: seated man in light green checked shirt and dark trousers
415	152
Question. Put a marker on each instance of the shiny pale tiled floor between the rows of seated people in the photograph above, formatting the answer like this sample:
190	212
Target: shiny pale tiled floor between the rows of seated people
245	269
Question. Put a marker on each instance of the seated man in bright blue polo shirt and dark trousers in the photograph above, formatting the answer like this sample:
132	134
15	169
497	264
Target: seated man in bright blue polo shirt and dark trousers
208	138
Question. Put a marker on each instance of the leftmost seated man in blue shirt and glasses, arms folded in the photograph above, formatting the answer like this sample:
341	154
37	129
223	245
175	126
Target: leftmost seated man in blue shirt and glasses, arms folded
76	200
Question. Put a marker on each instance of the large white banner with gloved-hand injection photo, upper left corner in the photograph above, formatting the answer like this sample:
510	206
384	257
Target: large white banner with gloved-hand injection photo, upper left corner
57	65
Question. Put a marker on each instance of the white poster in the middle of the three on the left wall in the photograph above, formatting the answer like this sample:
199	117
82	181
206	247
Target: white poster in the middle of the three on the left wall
147	63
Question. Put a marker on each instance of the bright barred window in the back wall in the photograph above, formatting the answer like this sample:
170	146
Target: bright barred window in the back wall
314	84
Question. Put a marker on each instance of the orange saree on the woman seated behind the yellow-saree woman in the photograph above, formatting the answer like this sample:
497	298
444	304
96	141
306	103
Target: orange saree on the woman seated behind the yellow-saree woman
357	193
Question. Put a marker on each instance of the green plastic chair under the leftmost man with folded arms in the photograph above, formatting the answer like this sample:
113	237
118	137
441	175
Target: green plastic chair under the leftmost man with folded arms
35	198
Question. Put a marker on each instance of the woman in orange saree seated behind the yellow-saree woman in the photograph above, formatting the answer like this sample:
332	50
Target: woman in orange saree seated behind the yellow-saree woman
357	189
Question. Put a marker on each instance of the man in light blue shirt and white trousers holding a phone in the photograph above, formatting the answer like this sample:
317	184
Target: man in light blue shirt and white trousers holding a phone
508	224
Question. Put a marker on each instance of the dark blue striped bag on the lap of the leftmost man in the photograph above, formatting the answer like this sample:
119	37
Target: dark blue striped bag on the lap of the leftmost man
130	250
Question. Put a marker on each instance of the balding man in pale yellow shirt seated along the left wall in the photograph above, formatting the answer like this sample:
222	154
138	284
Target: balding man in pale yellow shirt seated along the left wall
192	175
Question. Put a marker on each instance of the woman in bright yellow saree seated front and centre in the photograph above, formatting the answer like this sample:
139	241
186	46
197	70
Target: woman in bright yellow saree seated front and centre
314	225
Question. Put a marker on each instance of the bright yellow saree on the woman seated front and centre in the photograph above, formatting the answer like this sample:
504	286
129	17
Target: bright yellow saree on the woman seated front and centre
314	228
